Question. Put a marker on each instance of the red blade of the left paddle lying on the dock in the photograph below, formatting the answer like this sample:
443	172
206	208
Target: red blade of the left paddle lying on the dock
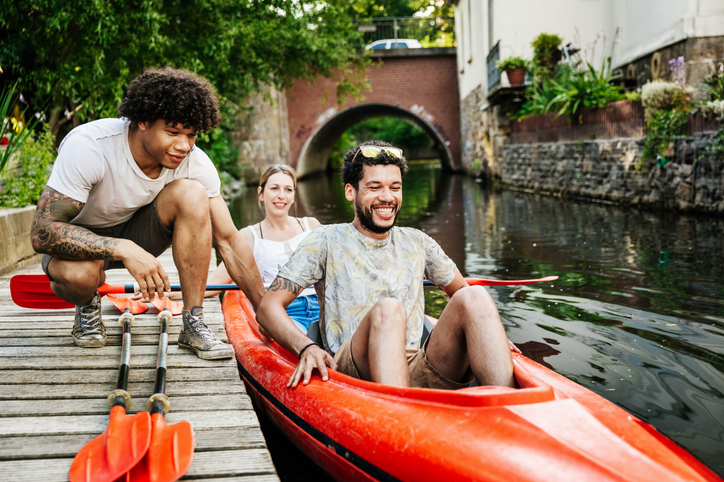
115	451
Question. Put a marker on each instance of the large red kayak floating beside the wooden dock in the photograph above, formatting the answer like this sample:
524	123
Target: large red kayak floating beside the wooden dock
549	429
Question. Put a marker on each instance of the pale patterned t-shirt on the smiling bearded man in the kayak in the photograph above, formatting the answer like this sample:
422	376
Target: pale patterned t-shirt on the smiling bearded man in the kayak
351	272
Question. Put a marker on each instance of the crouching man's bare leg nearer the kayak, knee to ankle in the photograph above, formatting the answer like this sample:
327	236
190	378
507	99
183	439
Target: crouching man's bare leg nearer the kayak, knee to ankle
183	206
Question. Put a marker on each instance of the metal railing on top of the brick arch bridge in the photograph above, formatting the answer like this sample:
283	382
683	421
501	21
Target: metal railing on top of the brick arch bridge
430	31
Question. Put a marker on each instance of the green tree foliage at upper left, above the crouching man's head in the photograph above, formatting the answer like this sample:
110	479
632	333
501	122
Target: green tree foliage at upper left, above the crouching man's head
75	58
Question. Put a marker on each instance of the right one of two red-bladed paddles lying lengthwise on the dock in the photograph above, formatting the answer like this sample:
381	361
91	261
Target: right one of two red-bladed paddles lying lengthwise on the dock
172	446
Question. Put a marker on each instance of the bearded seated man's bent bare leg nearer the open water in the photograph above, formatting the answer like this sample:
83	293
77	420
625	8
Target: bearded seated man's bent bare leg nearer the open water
470	334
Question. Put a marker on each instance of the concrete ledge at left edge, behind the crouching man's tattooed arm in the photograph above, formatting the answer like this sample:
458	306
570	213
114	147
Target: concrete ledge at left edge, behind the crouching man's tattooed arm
15	246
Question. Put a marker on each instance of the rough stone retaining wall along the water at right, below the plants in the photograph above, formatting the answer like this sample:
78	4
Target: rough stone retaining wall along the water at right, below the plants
607	170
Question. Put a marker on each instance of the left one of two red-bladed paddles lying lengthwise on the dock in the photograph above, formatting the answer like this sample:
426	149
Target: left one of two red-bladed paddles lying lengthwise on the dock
126	439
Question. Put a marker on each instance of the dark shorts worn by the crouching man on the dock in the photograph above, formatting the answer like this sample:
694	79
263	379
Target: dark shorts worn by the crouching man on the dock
144	228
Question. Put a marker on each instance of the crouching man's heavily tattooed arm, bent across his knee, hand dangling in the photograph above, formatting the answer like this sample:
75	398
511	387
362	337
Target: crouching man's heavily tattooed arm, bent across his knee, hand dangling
52	233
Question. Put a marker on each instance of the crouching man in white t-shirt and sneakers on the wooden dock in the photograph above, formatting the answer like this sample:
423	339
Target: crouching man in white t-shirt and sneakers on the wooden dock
123	190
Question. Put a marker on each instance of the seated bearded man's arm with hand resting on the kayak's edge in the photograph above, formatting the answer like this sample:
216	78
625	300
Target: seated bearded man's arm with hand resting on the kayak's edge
273	317
